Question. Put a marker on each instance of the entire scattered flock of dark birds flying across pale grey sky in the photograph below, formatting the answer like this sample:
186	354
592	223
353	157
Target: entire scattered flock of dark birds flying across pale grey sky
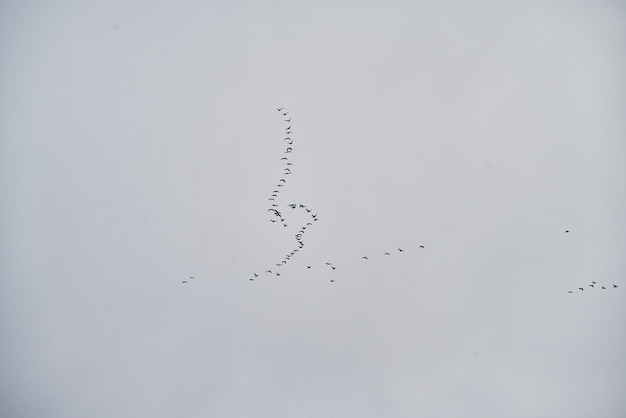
279	216
